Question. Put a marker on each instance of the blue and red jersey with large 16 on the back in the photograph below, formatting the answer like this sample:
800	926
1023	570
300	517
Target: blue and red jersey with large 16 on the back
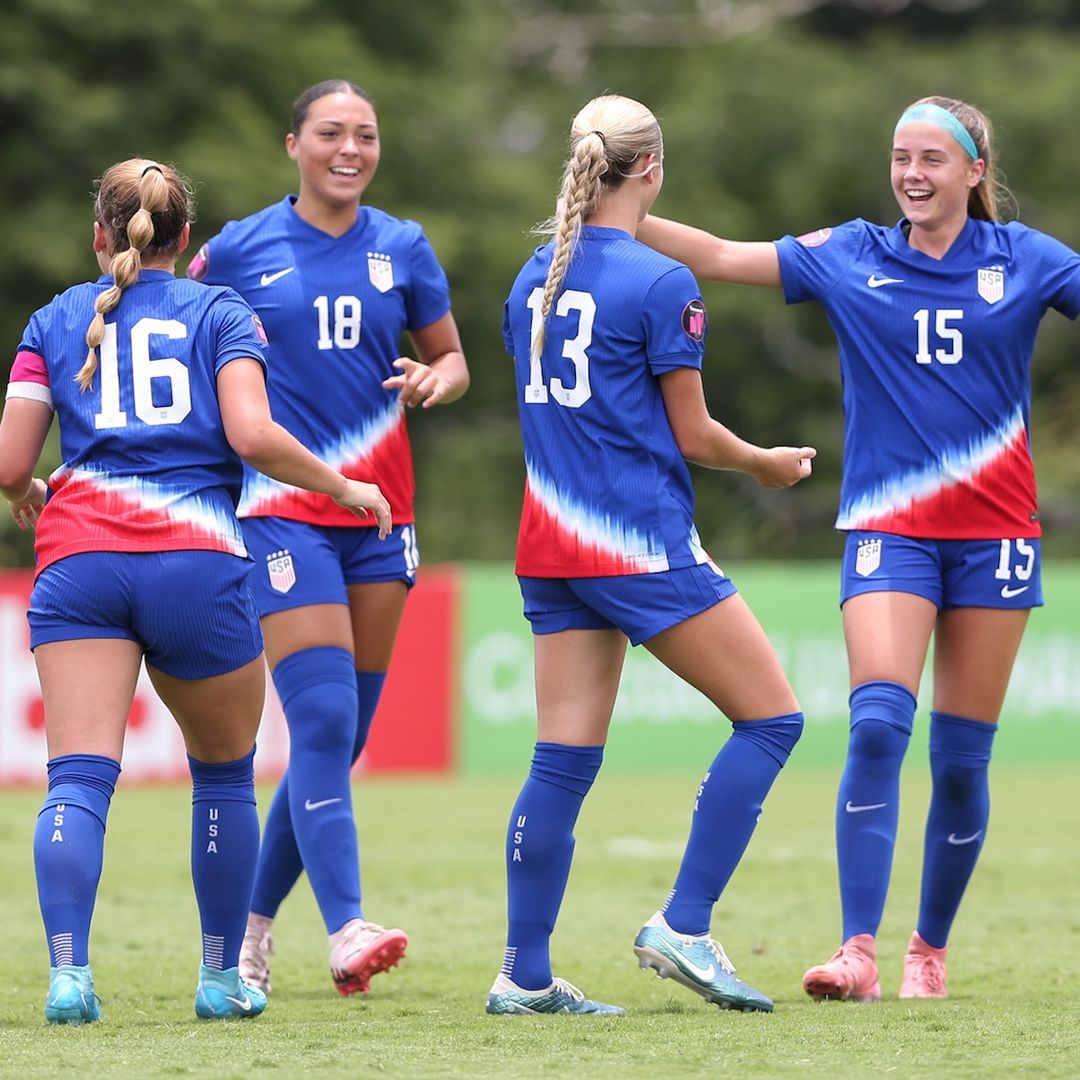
146	463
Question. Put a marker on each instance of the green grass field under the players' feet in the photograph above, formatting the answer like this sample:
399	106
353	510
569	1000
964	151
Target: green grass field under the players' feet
434	866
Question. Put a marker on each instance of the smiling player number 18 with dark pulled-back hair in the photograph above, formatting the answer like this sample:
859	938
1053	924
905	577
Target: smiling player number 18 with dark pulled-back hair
336	285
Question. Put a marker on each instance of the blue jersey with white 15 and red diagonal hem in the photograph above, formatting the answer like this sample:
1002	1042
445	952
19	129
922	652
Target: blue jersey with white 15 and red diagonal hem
936	360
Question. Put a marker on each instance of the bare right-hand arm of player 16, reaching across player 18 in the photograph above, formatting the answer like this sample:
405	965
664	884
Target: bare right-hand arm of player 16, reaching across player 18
265	444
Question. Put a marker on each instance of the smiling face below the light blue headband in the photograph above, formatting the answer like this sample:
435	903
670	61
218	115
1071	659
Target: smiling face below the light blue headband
933	177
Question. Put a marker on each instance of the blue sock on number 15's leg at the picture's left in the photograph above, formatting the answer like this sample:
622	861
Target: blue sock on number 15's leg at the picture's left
868	804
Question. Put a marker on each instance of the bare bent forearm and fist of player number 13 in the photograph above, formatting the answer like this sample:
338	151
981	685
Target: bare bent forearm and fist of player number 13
707	442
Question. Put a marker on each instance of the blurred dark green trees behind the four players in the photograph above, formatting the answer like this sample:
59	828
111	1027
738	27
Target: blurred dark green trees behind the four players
777	115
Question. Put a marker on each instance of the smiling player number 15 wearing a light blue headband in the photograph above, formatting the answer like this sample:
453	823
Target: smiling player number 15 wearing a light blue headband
937	319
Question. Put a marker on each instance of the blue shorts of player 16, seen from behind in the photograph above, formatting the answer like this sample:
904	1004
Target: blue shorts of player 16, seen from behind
193	612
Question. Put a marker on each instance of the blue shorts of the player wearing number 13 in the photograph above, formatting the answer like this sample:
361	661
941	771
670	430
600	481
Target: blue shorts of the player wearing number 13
641	605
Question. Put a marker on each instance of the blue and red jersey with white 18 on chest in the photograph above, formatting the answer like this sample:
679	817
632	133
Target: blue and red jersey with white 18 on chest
335	309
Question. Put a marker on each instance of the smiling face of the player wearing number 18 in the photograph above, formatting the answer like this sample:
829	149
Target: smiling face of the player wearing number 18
336	151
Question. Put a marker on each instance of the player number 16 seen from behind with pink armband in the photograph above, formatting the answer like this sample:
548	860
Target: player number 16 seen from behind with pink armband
140	558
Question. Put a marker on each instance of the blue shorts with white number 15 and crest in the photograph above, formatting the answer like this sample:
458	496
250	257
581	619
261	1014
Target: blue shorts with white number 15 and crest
951	574
